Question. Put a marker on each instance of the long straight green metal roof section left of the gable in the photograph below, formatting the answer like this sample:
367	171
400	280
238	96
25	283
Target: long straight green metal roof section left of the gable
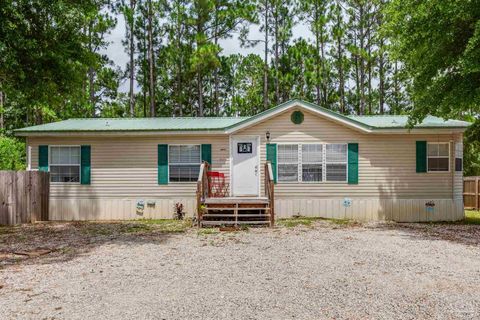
135	124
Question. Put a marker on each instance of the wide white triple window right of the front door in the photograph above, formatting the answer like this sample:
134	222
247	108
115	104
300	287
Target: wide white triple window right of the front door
312	162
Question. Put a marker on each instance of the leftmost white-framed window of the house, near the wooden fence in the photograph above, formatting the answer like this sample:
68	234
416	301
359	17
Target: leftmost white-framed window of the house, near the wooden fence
64	164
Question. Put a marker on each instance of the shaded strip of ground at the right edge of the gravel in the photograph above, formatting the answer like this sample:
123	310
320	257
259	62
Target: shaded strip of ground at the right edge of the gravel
454	232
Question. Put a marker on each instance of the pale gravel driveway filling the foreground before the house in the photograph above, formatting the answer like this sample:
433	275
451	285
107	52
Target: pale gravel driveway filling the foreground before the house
320	272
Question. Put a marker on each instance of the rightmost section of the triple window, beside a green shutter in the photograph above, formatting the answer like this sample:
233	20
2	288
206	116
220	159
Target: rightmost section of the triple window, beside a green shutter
336	162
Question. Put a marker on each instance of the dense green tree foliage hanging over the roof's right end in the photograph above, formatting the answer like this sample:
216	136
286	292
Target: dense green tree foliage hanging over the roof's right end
438	44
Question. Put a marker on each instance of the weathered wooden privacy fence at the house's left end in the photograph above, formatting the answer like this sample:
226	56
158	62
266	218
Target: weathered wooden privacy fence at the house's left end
24	196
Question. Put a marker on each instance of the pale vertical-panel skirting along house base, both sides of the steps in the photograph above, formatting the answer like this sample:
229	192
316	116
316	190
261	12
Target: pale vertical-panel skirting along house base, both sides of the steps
402	210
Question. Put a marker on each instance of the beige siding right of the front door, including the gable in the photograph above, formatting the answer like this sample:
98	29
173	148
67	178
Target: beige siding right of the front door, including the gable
386	162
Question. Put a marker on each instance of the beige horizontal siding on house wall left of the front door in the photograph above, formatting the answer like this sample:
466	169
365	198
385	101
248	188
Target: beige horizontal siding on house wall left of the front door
126	167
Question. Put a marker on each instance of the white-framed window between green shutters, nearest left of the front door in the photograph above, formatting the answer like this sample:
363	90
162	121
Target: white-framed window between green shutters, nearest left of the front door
184	163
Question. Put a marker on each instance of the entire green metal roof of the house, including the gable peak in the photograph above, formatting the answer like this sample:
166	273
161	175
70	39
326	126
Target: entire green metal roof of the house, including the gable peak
221	124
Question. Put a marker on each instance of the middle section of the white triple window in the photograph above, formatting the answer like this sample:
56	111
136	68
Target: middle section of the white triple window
312	162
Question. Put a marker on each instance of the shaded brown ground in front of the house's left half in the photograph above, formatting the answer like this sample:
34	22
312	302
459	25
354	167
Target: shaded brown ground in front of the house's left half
54	242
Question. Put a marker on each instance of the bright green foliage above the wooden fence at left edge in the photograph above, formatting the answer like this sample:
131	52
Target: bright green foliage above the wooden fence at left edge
12	154
